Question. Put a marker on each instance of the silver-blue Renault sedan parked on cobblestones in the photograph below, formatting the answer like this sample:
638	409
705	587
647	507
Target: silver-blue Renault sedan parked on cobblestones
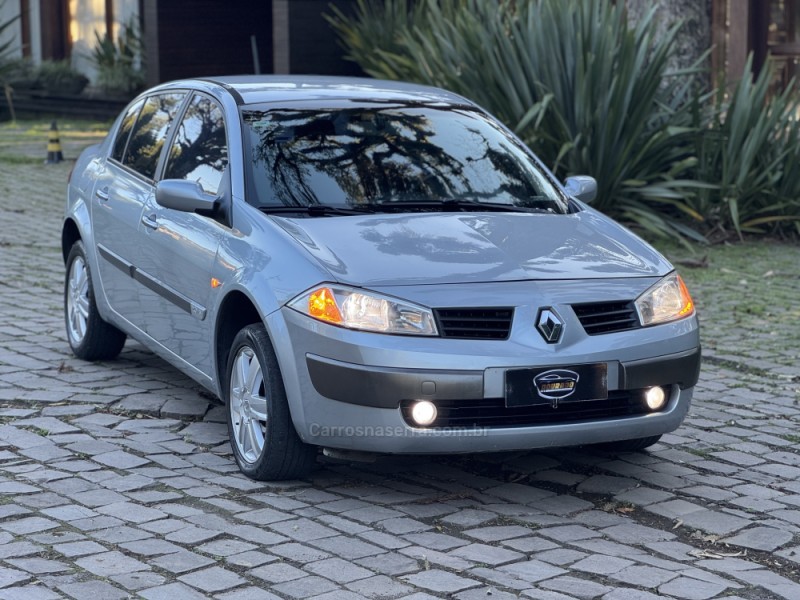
371	266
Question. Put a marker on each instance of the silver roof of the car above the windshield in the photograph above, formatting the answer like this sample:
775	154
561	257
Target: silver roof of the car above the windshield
259	89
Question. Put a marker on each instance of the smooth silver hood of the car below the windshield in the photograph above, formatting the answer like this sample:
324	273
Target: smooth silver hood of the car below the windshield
426	248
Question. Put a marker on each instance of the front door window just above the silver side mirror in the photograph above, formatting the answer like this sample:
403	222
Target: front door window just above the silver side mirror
200	151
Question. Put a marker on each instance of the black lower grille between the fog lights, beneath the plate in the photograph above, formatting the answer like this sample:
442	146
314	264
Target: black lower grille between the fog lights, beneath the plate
492	412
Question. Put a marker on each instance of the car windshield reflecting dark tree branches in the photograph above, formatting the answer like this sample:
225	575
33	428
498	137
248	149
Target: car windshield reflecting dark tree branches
375	157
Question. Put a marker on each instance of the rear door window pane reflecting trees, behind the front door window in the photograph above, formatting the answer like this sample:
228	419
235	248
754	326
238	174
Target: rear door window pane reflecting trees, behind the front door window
150	131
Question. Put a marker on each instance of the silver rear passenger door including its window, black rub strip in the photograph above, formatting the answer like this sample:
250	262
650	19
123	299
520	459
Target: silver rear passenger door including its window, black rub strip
123	186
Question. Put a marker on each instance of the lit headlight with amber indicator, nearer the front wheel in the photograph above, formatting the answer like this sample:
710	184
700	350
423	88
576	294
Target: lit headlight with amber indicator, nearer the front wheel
367	311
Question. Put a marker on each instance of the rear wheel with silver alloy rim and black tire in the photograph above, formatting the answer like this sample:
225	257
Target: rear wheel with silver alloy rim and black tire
89	336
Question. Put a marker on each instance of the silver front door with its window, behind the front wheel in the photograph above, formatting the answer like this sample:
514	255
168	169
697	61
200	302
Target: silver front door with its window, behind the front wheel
179	249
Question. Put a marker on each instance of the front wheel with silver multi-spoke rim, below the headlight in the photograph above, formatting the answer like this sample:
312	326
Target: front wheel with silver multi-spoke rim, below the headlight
264	442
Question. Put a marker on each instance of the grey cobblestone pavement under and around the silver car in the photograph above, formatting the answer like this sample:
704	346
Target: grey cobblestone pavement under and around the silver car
116	479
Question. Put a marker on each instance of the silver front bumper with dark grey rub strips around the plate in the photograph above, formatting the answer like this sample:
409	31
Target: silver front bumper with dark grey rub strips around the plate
349	389
